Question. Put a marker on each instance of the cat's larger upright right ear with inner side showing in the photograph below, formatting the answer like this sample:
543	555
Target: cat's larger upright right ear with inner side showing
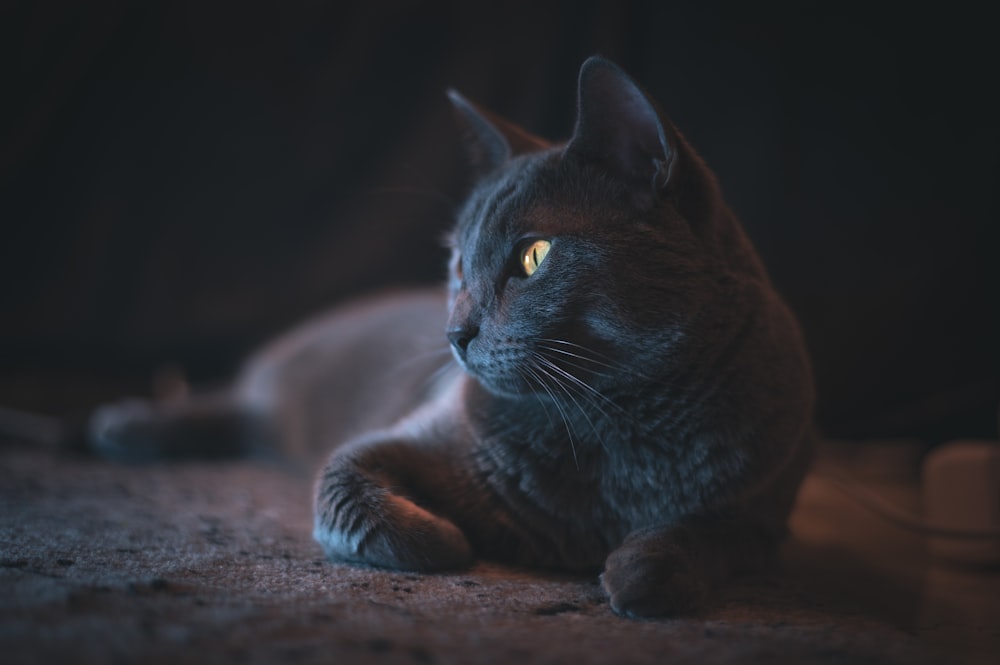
619	126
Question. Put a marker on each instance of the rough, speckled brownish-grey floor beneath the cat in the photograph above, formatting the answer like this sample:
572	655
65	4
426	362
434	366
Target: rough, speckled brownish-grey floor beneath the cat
214	563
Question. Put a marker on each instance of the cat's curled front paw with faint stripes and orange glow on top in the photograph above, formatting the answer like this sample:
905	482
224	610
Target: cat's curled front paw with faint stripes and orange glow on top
392	533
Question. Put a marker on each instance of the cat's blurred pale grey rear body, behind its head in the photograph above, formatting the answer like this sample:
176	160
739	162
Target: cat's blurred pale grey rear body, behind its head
356	368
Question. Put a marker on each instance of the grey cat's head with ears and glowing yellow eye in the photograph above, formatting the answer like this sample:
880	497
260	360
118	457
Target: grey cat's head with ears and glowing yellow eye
581	266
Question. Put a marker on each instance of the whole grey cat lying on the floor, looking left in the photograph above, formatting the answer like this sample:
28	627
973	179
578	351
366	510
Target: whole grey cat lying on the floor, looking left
640	405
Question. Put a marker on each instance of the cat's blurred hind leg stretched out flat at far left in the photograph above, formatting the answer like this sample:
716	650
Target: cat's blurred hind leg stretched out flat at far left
200	426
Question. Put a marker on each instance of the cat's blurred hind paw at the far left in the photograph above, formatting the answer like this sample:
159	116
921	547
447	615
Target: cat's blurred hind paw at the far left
122	430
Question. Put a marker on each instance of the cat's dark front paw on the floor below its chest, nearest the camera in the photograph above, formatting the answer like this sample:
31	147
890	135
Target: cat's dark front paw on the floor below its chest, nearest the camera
652	575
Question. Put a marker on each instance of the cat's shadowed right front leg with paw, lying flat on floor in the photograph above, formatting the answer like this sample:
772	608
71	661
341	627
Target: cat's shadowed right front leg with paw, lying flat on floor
672	570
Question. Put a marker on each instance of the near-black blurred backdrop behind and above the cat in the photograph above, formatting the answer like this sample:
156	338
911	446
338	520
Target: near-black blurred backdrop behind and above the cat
180	180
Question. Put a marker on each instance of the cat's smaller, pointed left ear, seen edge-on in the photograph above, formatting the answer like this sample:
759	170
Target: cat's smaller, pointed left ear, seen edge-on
489	139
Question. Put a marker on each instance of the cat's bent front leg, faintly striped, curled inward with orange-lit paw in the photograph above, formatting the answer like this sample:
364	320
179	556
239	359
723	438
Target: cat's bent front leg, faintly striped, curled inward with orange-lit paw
374	506
